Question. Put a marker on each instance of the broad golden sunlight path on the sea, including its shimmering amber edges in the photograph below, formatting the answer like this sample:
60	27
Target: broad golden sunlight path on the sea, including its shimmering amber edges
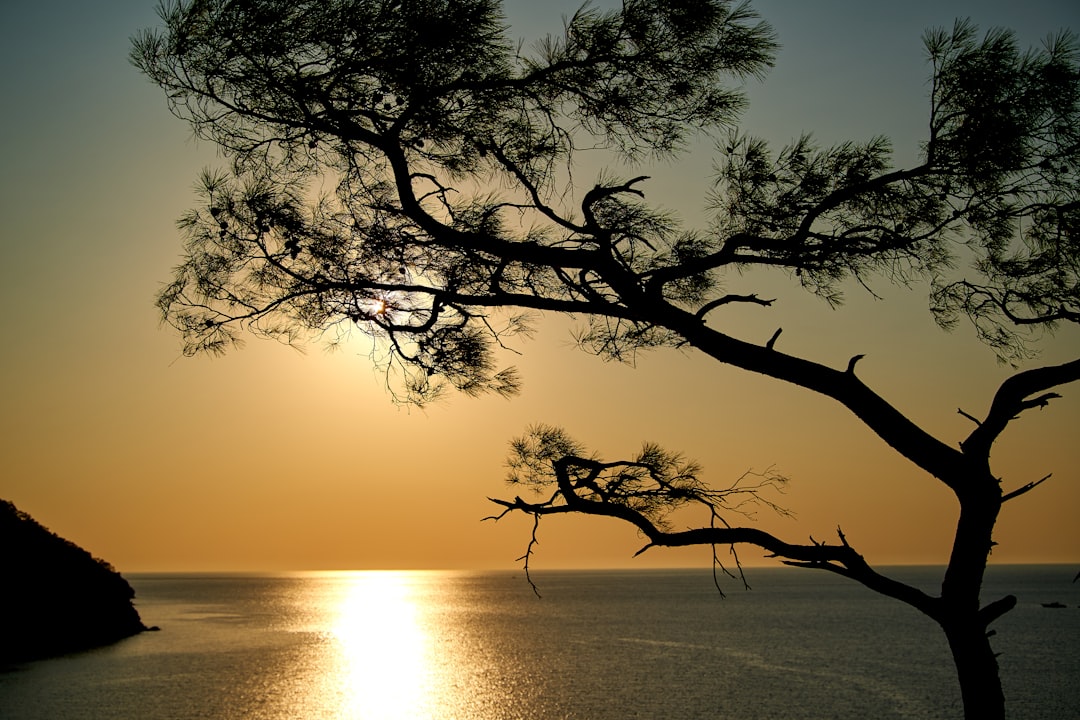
403	646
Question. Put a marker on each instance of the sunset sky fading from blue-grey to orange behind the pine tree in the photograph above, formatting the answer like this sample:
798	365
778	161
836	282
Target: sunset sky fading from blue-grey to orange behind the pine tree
272	459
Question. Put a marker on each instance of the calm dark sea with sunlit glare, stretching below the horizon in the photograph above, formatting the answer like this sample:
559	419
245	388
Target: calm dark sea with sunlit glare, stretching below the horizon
596	645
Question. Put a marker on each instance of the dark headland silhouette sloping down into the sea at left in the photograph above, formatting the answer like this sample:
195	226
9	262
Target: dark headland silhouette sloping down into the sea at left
58	599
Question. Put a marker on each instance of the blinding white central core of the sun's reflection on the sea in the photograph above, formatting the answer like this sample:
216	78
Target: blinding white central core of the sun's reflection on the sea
383	658
